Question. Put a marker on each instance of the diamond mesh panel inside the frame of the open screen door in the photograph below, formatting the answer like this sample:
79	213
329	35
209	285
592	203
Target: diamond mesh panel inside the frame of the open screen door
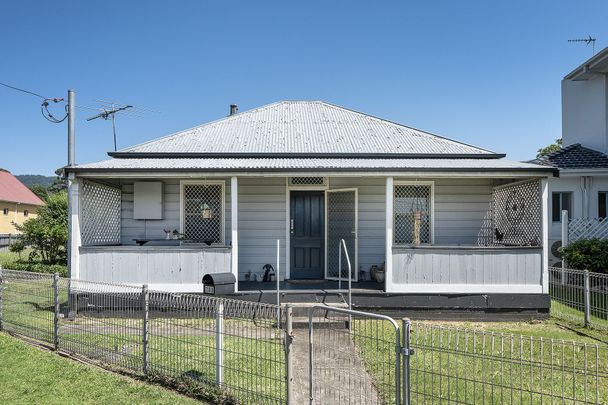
341	224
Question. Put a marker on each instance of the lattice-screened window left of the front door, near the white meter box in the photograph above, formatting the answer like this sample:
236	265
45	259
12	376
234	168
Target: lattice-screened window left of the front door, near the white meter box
203	212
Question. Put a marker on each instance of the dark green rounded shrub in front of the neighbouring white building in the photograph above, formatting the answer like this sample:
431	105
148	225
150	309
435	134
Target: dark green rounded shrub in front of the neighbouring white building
587	254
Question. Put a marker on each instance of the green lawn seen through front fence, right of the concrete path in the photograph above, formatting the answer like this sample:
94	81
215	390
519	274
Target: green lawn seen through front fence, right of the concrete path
490	362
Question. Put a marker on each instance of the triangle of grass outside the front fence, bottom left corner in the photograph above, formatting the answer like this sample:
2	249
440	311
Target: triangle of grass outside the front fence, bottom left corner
30	375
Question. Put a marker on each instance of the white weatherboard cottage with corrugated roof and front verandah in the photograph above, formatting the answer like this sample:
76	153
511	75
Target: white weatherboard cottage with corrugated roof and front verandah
439	216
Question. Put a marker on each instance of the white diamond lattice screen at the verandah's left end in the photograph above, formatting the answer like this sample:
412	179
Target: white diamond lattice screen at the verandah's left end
100	208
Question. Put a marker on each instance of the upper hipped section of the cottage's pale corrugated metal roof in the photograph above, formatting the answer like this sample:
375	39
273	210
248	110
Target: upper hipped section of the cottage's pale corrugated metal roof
306	128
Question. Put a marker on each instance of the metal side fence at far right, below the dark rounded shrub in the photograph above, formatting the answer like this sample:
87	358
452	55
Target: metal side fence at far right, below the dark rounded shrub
579	296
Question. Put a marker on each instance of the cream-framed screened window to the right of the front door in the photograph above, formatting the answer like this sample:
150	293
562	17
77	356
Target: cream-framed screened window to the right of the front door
412	213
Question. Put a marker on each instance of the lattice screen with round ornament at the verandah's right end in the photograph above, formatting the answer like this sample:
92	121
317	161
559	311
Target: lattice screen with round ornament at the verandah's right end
517	214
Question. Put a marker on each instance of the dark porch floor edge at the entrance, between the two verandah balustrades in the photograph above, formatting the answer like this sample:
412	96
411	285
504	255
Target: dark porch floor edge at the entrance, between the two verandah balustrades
308	285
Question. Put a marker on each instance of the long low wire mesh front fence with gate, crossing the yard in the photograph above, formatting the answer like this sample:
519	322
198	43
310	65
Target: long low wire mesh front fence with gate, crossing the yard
240	351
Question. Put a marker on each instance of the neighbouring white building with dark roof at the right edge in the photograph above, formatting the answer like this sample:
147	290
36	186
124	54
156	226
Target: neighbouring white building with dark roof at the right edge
582	185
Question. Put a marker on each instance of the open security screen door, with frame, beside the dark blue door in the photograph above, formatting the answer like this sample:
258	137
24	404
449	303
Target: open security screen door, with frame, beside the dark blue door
341	223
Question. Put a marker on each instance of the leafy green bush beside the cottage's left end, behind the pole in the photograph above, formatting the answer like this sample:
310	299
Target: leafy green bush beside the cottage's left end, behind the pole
47	234
